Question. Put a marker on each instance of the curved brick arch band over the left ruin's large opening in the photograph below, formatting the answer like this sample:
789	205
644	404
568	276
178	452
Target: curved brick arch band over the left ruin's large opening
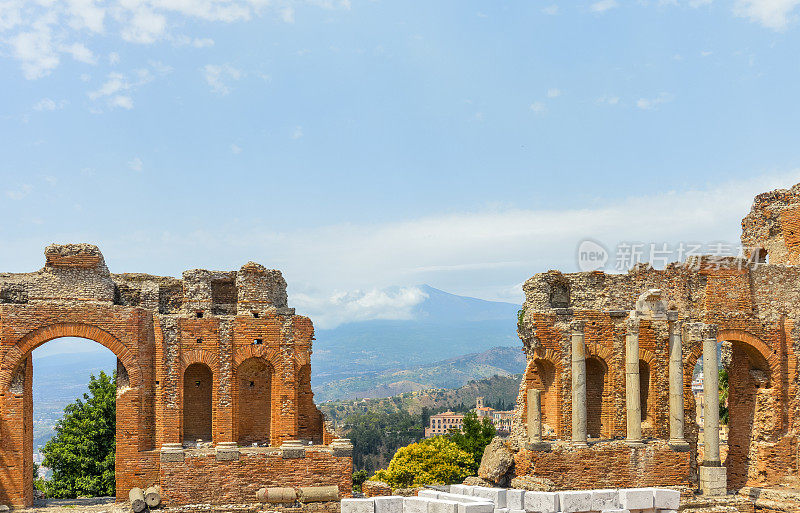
30	341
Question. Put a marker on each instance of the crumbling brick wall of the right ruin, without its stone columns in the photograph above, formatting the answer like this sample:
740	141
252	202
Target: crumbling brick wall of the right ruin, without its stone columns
754	305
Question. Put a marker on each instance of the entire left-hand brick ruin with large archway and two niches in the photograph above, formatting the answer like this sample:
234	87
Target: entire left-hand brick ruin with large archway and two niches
214	393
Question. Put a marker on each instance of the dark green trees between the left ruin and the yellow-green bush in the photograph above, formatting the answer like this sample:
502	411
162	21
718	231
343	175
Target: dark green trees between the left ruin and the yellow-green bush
377	435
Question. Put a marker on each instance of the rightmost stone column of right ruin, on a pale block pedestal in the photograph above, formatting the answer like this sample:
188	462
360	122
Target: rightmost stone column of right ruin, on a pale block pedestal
713	477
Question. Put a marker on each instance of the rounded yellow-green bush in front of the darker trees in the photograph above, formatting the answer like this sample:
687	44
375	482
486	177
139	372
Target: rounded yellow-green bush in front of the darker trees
436	460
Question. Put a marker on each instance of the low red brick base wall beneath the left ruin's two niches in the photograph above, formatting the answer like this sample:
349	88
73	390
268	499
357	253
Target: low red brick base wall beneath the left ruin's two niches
200	478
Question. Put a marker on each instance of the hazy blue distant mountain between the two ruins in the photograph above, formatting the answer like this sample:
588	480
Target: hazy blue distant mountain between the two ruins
443	326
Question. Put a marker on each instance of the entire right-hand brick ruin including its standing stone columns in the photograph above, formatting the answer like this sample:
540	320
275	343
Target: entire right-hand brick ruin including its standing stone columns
611	358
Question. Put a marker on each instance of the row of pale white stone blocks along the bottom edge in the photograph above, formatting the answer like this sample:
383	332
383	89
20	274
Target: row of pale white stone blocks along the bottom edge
480	499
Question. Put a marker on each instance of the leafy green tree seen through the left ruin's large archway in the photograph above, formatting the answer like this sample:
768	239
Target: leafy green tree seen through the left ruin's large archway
81	454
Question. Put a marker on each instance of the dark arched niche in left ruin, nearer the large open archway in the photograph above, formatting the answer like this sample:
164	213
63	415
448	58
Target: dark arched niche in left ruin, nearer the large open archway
197	409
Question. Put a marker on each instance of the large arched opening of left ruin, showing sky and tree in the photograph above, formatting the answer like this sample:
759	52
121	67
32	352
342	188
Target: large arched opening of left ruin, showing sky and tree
55	375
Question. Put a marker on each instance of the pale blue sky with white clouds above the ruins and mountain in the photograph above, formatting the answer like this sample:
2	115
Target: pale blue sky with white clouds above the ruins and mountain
360	145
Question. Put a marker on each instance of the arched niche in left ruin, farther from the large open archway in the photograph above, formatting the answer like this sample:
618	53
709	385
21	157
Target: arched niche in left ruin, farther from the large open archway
254	381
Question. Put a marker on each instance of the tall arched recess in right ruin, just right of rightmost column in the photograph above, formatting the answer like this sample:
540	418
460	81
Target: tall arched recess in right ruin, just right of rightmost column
751	407
